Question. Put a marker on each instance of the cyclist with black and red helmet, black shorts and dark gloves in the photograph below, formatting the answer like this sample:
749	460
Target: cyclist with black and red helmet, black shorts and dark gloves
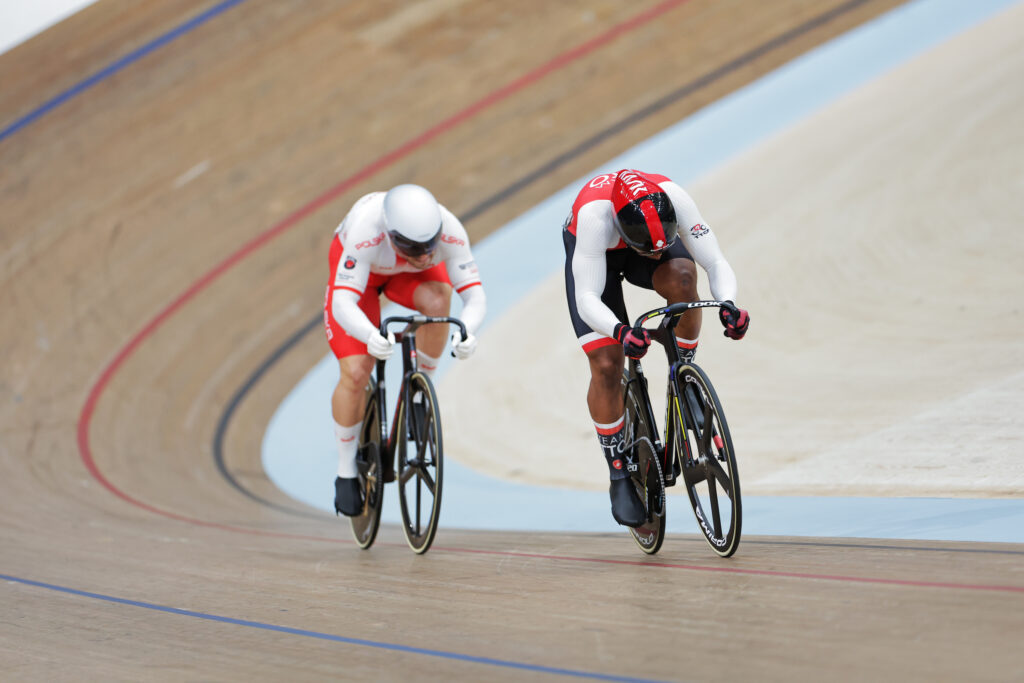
625	226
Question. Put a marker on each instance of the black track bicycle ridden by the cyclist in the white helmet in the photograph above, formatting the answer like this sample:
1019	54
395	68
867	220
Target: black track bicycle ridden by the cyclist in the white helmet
415	441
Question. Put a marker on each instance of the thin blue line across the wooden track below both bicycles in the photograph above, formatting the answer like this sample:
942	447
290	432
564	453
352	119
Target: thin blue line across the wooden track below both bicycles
328	636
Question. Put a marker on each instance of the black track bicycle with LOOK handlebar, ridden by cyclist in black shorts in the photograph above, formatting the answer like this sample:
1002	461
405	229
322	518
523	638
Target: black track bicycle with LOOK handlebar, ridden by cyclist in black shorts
698	447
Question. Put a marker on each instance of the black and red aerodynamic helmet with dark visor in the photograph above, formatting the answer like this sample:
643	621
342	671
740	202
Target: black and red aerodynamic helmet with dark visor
647	220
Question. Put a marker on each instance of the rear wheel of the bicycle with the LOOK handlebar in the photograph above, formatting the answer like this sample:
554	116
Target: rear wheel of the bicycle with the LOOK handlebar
649	479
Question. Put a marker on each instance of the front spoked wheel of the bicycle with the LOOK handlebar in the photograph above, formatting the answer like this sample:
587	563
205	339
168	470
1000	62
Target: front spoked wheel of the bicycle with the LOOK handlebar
704	446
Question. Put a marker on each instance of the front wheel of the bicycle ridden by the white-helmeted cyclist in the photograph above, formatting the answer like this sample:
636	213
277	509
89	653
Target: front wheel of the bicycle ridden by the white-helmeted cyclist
421	462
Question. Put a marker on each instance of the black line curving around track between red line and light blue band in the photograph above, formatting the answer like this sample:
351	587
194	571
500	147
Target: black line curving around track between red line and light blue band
685	92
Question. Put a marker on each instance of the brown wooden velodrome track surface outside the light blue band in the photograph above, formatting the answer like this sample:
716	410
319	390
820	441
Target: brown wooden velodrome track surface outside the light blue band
165	231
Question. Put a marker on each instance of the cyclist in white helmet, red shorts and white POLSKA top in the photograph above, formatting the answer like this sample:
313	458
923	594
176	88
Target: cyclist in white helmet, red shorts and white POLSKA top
405	245
